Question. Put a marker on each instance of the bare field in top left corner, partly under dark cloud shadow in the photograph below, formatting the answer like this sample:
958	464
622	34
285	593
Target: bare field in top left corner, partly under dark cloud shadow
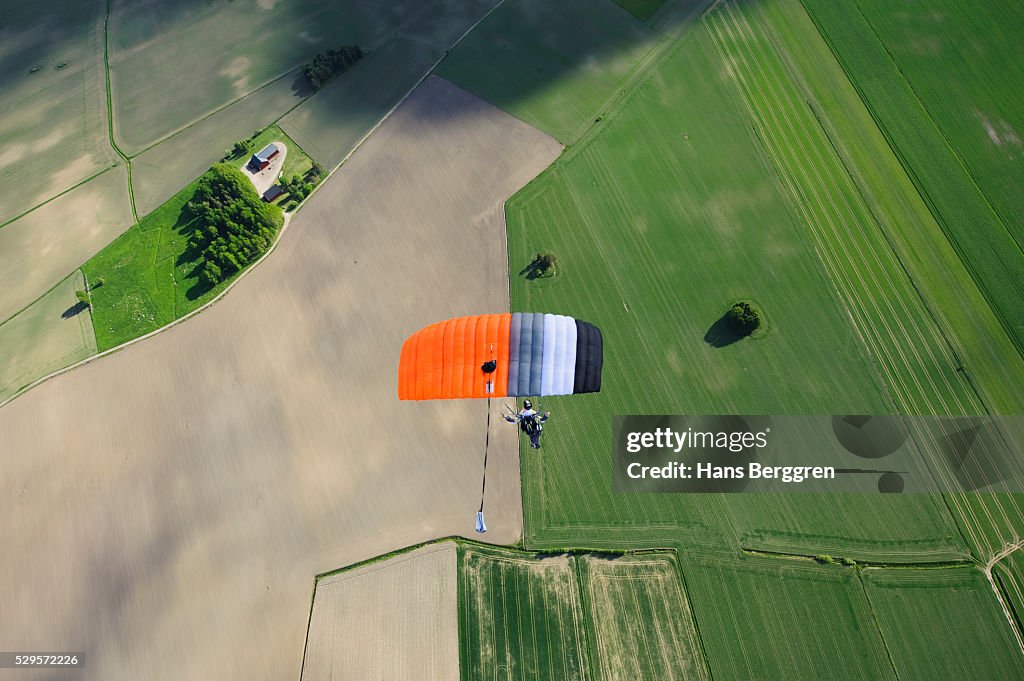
53	102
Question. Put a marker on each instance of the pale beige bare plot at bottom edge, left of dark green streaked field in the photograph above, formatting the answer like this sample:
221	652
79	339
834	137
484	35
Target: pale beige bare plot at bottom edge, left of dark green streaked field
397	619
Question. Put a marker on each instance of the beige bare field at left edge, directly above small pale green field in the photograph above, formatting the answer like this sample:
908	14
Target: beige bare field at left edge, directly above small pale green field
44	247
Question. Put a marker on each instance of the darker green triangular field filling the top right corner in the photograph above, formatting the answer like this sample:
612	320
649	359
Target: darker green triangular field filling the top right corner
936	123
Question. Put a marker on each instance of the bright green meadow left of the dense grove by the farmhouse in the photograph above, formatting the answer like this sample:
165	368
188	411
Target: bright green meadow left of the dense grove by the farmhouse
151	278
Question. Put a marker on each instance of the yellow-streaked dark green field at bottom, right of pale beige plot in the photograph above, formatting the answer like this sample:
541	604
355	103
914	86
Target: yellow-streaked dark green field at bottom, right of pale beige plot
584	617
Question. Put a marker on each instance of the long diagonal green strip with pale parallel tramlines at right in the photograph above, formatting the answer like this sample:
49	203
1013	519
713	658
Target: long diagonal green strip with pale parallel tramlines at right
916	355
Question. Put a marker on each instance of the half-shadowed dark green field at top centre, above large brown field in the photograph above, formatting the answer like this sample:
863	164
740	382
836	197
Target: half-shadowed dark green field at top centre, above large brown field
552	65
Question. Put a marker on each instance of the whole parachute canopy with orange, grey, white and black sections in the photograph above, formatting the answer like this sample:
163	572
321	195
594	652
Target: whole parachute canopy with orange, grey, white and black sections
501	356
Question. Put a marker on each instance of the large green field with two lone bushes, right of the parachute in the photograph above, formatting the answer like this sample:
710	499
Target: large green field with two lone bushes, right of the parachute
661	220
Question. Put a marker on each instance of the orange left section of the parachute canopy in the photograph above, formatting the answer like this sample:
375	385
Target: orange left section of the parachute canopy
445	361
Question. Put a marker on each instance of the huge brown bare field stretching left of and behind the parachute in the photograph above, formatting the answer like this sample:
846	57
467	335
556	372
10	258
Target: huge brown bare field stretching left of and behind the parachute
167	507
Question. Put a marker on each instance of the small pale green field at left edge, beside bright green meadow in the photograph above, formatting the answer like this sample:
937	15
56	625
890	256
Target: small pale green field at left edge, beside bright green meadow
53	333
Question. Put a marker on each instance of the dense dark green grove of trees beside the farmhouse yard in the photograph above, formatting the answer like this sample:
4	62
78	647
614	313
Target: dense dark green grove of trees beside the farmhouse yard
235	226
